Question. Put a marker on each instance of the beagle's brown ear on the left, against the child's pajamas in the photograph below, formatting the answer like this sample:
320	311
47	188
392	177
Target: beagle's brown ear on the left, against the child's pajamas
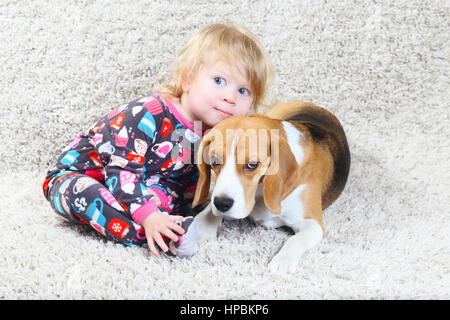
204	180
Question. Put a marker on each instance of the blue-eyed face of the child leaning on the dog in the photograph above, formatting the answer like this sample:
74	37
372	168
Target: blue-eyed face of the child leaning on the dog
218	91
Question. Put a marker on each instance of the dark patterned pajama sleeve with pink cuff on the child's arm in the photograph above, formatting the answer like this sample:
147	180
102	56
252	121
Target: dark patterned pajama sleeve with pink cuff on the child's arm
125	140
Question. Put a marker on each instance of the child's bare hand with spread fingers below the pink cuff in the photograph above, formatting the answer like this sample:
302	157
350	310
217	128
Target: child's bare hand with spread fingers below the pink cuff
156	225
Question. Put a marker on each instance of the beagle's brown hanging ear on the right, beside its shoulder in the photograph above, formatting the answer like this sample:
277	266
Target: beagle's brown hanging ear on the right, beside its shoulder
281	175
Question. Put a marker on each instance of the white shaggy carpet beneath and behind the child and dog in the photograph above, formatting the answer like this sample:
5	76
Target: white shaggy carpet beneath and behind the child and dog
382	67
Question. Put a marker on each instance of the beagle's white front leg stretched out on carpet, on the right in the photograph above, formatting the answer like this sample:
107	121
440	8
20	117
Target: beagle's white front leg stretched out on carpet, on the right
287	259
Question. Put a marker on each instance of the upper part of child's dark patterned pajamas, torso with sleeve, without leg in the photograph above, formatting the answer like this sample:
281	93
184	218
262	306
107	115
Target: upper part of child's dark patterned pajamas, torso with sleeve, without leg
143	152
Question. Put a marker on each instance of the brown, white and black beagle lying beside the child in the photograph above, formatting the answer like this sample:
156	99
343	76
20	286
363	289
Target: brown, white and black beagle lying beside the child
279	169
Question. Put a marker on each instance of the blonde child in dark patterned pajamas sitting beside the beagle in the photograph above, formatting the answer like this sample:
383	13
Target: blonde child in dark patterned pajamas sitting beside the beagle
132	175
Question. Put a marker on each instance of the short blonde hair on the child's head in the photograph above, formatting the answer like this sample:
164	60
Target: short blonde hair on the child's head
233	44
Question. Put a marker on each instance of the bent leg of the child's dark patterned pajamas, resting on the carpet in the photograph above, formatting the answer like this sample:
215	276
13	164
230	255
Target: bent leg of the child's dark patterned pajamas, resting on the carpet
84	200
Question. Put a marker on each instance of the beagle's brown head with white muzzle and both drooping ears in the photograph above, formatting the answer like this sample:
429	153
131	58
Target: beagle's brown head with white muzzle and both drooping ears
243	151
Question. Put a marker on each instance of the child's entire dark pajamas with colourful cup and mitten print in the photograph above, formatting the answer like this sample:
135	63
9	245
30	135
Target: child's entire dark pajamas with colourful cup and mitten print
136	160
